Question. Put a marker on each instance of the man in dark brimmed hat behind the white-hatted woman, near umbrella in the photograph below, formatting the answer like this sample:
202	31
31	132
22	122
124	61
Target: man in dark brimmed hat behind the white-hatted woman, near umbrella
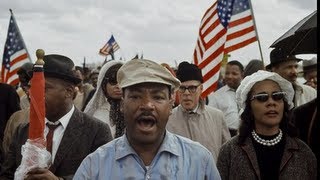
287	67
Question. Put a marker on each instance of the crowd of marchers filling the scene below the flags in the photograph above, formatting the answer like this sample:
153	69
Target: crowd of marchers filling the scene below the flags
144	120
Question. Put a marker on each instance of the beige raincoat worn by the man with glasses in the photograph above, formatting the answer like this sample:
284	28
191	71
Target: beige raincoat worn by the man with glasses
207	126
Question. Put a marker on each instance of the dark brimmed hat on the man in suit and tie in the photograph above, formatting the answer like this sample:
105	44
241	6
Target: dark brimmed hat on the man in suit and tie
60	67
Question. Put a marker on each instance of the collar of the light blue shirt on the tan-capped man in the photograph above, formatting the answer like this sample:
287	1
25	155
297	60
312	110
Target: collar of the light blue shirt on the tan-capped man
123	147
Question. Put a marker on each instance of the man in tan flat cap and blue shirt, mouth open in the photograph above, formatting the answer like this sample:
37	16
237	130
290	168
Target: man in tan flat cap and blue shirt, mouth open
147	150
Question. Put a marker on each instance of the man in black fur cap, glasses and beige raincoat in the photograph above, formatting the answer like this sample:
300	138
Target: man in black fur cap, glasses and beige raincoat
192	118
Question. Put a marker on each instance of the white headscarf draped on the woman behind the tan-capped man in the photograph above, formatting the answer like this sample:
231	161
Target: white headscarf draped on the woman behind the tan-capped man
99	99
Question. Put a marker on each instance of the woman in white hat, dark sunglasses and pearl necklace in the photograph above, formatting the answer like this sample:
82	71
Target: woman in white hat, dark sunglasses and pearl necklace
266	146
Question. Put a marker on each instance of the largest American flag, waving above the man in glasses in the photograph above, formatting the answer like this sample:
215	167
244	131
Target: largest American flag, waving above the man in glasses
226	26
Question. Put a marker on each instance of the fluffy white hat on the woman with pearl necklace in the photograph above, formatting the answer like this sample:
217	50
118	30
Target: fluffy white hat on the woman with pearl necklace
248	82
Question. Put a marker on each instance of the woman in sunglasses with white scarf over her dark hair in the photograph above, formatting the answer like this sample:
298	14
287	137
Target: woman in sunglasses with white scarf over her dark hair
105	103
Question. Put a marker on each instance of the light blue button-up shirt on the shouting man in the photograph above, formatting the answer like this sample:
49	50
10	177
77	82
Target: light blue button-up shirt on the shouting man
177	158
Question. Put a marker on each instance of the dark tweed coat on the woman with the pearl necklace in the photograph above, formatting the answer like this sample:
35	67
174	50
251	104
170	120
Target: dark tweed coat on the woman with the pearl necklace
240	161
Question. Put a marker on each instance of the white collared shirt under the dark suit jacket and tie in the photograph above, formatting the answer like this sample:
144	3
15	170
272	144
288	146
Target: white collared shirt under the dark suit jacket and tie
58	132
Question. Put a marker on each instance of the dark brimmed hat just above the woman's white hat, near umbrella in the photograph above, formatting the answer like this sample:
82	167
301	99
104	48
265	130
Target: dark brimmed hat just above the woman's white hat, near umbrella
278	55
